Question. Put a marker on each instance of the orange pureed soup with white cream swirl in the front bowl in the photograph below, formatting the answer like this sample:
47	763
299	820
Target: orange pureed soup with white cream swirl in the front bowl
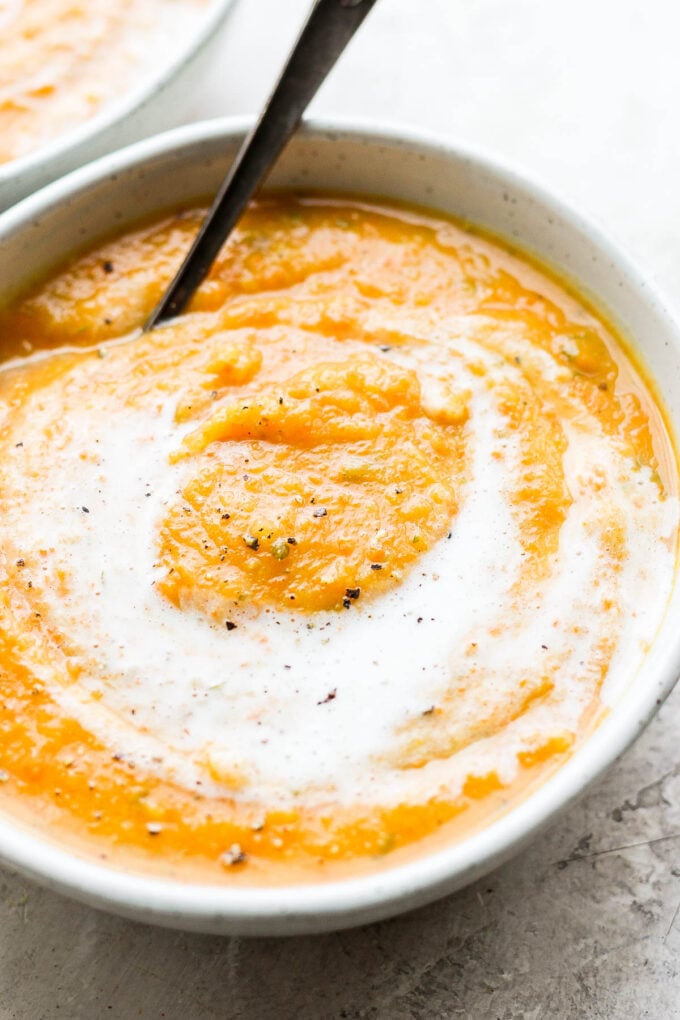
333	570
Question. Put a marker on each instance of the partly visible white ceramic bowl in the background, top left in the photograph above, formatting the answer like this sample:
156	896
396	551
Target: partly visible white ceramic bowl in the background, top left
160	100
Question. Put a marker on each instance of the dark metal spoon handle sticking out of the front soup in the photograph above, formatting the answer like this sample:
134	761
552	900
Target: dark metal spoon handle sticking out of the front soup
331	26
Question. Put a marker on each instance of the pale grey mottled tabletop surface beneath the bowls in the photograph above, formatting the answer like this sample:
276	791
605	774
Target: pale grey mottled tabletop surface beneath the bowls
587	923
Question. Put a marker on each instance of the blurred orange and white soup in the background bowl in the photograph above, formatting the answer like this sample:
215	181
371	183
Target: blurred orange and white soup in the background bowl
62	62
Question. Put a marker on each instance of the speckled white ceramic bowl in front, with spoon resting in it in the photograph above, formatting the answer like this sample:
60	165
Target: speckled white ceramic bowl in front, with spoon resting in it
187	165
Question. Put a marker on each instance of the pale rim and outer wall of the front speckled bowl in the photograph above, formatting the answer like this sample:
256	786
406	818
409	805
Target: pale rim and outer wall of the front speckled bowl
336	904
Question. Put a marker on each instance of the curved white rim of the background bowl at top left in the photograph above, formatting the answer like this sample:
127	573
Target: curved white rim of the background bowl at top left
115	113
